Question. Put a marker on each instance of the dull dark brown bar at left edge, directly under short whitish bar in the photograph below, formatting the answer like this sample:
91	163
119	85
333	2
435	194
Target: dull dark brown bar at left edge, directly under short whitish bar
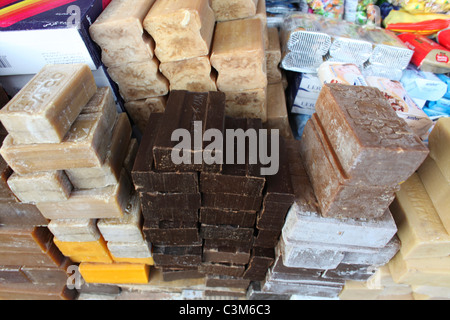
16	214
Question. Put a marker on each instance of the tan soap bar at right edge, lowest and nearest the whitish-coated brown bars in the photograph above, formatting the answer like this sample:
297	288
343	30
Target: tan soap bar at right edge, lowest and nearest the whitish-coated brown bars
420	229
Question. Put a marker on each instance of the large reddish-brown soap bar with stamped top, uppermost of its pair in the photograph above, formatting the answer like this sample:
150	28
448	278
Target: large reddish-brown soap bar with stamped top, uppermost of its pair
373	145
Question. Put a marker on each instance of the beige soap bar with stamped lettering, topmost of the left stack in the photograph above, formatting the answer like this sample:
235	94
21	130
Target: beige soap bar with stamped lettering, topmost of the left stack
45	109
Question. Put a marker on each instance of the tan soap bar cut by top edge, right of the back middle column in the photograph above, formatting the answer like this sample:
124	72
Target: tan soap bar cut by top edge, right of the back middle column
225	10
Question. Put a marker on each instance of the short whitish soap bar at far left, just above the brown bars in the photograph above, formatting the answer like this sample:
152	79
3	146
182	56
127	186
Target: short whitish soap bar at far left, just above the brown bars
41	186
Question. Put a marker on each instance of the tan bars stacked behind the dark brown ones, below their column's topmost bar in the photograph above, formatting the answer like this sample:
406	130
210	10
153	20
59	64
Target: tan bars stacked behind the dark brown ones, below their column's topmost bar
238	55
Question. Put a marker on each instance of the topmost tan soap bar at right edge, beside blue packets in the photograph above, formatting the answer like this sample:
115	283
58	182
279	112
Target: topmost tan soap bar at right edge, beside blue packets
438	142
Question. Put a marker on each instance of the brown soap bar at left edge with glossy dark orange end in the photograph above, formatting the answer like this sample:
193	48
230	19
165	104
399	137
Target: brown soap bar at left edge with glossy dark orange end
27	240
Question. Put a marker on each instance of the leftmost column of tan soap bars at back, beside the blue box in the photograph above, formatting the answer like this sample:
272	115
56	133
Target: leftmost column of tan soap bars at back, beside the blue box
128	52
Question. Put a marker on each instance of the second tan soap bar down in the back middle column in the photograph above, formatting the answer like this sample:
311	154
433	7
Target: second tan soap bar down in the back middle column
191	74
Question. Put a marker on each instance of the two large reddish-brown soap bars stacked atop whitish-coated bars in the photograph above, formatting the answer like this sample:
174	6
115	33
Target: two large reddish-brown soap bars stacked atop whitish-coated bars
365	149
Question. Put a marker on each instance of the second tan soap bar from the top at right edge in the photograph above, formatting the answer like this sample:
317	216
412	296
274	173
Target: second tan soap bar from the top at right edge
438	188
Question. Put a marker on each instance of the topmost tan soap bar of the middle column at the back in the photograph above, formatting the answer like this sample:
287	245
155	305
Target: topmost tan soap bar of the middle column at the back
181	29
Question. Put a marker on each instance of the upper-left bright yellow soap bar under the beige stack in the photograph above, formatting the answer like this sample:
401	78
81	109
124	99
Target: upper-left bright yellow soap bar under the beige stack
93	251
